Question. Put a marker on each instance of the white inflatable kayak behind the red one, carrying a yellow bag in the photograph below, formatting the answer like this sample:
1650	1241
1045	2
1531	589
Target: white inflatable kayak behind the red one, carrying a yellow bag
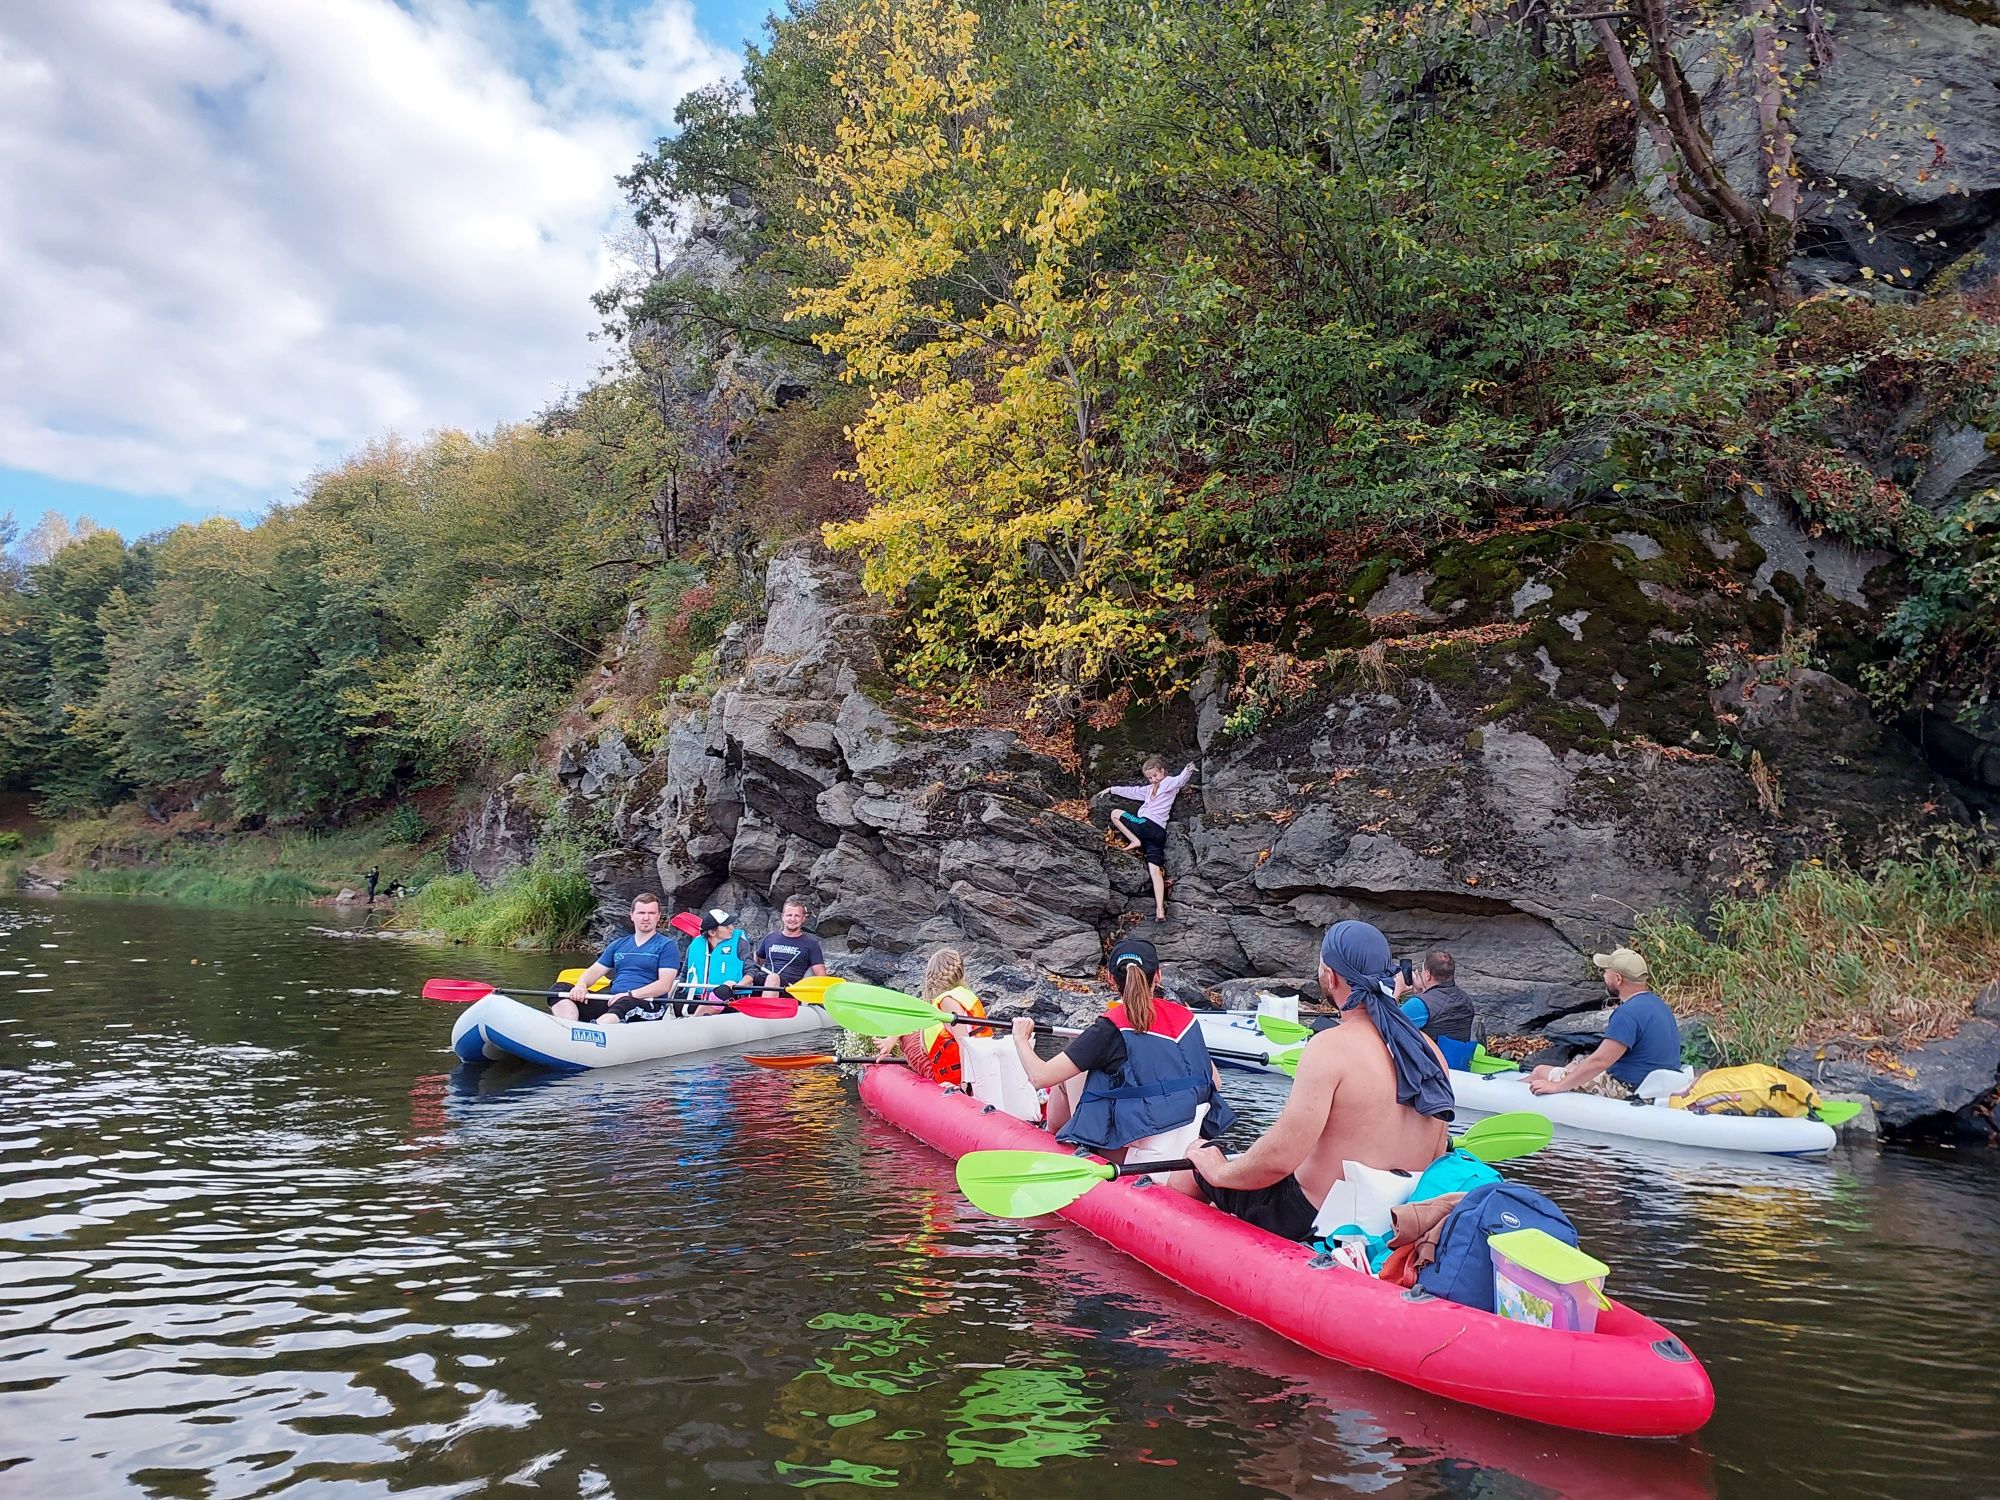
1237	1033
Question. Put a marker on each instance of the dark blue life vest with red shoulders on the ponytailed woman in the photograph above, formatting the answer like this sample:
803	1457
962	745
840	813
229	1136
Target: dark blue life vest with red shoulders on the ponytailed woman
1165	1079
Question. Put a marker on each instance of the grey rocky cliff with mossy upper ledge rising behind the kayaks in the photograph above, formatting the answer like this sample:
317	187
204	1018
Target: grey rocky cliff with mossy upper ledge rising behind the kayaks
1503	773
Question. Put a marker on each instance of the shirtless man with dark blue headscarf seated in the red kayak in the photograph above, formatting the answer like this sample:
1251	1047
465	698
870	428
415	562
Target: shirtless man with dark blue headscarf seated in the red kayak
1349	1101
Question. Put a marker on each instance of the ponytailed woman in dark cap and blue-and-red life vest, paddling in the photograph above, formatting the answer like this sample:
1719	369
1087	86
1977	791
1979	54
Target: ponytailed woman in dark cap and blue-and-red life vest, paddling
1145	1067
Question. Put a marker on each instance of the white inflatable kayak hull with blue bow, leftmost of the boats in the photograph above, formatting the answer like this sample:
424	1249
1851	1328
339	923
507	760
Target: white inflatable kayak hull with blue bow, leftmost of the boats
495	1029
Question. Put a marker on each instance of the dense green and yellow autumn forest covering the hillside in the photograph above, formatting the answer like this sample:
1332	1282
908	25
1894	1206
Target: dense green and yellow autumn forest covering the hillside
1125	333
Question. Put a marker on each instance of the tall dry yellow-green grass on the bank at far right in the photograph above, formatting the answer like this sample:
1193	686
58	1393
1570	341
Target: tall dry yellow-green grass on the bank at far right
1893	955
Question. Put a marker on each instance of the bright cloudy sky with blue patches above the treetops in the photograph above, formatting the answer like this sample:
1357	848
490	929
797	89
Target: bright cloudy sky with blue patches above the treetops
241	237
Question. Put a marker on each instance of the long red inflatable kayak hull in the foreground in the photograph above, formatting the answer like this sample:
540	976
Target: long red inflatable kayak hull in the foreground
1629	1379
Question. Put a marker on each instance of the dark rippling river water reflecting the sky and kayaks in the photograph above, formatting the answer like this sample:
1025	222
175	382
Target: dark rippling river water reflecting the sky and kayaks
261	1235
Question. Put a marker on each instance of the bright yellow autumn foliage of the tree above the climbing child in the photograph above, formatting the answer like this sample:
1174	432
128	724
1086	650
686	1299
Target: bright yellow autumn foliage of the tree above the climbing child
967	297
